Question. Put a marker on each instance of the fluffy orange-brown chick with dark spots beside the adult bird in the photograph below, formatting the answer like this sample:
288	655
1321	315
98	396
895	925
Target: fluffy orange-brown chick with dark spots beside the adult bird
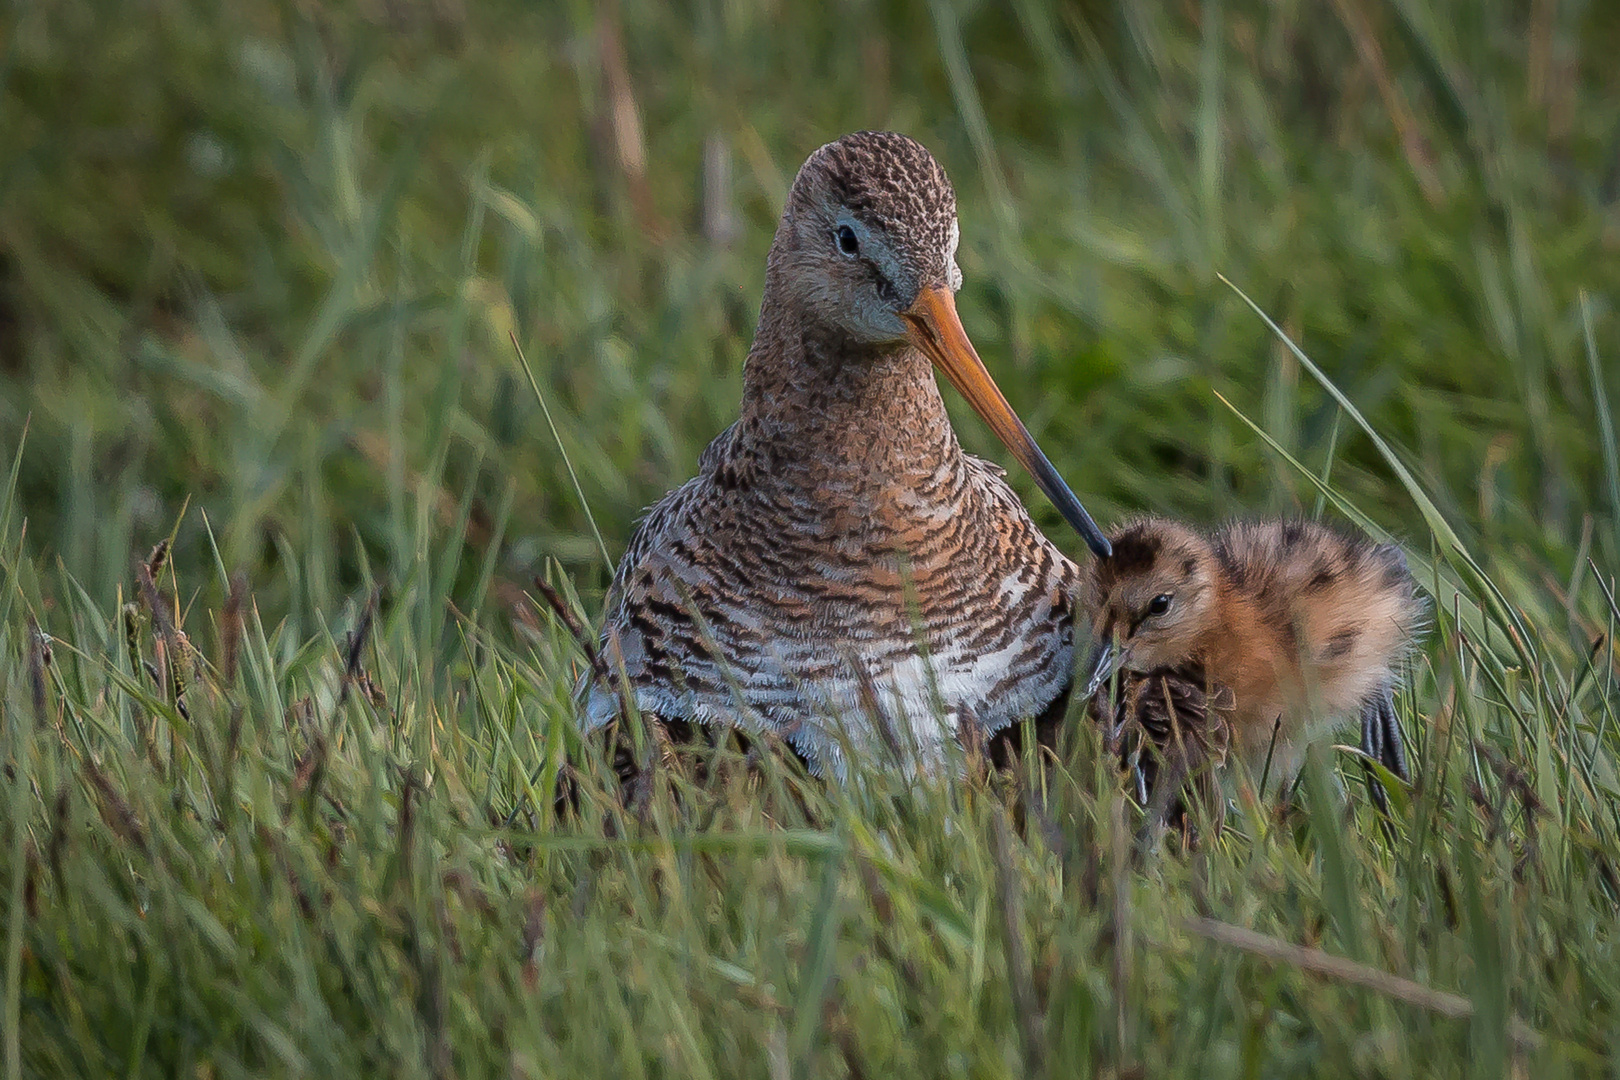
1303	626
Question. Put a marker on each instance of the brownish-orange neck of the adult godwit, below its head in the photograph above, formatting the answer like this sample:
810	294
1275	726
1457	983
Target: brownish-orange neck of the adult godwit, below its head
811	393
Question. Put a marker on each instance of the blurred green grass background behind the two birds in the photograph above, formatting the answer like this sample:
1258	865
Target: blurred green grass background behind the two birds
266	258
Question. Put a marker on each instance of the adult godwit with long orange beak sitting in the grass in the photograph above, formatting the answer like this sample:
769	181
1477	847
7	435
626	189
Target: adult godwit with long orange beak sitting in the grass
838	568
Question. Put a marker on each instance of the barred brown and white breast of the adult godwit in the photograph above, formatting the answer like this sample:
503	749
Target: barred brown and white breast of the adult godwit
850	614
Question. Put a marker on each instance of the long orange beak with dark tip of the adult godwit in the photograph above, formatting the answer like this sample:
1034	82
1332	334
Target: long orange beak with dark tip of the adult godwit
940	336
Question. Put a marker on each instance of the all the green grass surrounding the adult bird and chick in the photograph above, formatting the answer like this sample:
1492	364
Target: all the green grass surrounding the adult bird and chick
260	274
